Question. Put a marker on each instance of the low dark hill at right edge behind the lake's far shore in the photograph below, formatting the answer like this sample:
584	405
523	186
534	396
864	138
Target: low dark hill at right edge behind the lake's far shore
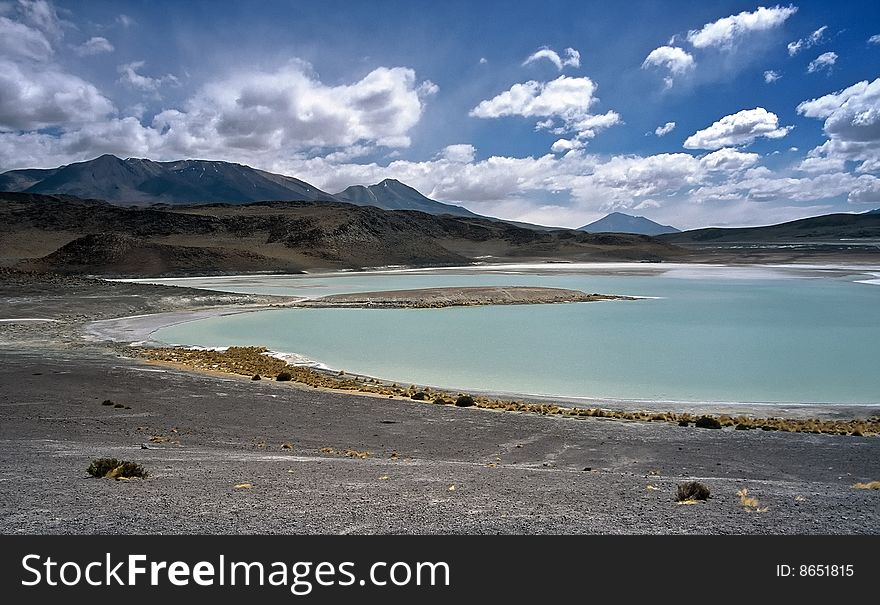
827	228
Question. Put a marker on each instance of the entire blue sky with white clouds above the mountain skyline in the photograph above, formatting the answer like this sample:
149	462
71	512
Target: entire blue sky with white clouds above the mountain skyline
692	114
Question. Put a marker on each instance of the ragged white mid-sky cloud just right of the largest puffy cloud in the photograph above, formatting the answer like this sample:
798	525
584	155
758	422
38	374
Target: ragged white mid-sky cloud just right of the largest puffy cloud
565	98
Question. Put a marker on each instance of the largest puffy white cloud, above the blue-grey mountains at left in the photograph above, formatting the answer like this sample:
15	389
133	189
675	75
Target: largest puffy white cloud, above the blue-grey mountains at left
291	109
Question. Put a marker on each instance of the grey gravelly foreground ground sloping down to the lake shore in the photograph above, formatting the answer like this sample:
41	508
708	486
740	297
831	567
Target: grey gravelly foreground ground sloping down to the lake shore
323	460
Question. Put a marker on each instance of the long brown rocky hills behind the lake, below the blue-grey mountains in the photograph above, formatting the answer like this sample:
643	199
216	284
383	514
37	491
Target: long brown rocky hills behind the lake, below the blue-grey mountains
71	235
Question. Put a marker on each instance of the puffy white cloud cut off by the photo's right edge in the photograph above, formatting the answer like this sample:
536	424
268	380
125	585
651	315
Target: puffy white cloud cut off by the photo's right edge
852	124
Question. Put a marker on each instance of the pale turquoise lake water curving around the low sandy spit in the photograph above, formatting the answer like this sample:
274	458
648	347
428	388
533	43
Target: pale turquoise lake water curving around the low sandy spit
707	334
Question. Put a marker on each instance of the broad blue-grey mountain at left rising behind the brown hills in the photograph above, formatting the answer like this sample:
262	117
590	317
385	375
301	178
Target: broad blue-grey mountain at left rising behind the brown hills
139	181
